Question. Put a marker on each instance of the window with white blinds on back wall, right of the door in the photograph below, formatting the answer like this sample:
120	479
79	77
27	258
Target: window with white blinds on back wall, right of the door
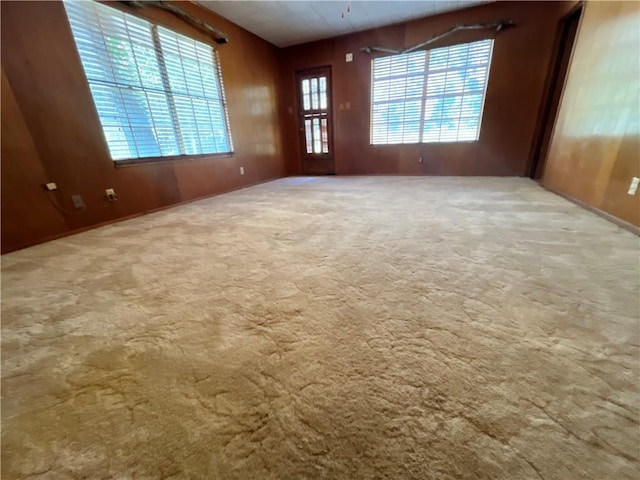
430	96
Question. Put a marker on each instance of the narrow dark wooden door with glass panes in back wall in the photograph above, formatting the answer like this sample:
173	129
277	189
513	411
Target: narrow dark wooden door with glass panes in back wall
315	121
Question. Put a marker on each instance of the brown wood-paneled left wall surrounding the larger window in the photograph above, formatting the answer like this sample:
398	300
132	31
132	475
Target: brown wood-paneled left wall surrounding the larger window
51	131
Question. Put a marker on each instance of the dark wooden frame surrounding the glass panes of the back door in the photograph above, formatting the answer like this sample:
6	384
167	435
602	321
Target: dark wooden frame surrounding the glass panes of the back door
299	75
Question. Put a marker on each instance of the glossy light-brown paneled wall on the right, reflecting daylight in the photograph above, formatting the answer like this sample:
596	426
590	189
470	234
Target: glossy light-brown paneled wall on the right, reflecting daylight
595	148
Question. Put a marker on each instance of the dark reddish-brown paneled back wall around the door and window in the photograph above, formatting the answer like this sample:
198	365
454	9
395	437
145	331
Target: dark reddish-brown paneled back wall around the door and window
521	59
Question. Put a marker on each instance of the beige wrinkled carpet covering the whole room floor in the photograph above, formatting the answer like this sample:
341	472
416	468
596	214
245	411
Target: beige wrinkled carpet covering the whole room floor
338	328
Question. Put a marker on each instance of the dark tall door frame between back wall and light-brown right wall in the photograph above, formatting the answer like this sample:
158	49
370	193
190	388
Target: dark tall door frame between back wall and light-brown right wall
554	90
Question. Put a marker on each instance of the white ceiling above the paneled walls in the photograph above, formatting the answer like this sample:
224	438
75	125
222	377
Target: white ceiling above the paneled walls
286	23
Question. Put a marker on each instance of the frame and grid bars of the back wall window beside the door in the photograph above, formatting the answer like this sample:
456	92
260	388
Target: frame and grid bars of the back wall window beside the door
424	97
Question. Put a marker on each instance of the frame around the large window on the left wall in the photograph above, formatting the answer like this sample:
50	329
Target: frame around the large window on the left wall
156	21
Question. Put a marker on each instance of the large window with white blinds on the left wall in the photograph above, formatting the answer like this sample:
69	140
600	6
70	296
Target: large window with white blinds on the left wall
157	93
